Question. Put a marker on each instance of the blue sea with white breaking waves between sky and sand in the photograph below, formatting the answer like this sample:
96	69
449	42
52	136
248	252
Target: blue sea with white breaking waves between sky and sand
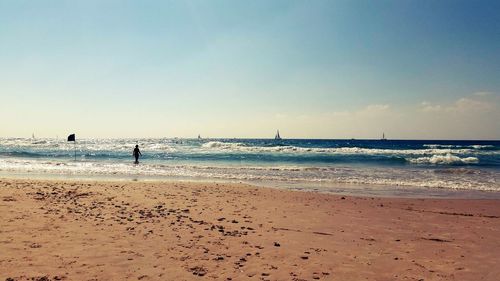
342	166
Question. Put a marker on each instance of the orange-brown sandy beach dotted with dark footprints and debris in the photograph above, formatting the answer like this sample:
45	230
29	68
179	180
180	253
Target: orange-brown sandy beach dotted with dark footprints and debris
87	230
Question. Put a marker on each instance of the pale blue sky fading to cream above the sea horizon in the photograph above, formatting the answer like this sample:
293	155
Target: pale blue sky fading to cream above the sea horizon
312	69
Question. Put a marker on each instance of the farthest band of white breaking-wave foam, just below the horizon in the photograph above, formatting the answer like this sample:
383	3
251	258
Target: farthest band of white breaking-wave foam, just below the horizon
172	146
